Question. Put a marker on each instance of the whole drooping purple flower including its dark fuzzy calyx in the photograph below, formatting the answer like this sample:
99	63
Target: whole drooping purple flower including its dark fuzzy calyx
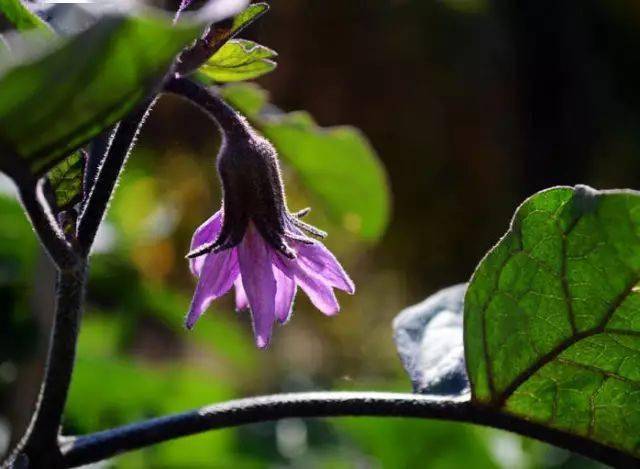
254	244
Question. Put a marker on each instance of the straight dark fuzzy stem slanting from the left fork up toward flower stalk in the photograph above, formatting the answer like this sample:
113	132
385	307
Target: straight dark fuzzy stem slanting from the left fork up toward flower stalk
114	161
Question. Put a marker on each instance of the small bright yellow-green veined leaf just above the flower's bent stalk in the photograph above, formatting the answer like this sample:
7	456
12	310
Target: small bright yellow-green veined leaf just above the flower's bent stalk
238	60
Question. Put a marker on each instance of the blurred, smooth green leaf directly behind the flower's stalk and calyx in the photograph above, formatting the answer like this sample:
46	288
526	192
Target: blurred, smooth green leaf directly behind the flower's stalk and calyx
337	164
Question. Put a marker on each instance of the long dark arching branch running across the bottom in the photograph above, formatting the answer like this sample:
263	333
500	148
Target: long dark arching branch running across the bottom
99	446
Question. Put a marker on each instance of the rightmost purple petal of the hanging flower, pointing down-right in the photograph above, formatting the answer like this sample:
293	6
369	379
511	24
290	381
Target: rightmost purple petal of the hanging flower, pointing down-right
316	258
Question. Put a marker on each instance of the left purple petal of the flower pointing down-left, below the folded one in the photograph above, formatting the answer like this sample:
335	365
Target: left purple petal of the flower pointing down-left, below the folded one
218	274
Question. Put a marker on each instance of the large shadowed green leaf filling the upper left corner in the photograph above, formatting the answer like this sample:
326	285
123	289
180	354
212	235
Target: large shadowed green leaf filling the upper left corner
50	107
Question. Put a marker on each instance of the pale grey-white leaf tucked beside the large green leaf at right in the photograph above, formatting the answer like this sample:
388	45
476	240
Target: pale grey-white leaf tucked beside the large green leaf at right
429	340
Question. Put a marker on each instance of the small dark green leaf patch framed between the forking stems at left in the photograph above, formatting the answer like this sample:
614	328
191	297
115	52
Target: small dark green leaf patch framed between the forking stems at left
66	180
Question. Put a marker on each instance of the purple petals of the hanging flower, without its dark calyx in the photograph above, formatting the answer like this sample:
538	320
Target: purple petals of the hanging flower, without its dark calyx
265	280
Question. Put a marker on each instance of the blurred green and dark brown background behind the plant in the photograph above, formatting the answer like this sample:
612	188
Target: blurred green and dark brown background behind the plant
472	105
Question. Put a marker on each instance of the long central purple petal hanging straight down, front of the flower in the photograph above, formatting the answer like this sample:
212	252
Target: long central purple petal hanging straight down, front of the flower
259	282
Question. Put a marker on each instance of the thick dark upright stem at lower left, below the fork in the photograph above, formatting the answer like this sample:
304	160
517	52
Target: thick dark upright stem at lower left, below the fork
39	446
